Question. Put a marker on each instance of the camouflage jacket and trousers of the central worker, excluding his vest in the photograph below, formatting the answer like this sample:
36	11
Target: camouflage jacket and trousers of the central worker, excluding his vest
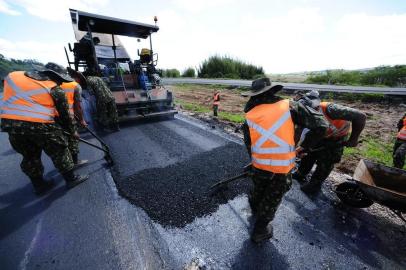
269	188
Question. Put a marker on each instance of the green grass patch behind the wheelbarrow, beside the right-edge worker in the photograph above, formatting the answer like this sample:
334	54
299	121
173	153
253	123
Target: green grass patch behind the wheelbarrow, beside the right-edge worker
373	149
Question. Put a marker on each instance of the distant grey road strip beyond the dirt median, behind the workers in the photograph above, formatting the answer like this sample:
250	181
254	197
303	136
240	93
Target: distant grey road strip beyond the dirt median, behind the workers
295	86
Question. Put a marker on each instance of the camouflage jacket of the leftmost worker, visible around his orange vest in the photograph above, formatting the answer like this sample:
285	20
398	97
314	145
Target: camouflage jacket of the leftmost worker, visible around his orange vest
63	121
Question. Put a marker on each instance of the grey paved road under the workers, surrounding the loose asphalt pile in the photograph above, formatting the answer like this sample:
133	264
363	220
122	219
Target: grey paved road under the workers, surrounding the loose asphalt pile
92	227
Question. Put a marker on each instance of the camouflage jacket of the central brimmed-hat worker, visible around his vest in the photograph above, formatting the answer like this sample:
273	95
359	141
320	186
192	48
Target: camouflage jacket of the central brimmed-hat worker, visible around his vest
302	116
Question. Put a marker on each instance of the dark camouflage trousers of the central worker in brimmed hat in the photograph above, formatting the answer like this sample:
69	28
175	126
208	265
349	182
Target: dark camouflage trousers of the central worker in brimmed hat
267	194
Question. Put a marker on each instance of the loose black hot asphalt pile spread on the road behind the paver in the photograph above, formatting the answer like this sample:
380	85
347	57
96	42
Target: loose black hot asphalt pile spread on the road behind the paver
177	194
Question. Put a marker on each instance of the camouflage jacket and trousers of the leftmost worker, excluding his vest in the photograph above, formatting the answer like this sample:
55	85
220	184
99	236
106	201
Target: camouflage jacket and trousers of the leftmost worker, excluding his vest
30	139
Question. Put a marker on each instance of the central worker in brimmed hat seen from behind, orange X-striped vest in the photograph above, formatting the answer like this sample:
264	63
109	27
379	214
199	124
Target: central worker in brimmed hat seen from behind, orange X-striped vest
269	138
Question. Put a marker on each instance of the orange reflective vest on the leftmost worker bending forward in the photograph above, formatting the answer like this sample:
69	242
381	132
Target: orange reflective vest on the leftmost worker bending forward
27	99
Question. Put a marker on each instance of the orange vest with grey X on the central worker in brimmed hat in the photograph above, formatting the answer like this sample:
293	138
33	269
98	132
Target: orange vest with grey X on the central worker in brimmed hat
272	137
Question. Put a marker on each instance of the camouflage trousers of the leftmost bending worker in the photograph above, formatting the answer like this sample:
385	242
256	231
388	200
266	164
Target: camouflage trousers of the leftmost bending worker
30	146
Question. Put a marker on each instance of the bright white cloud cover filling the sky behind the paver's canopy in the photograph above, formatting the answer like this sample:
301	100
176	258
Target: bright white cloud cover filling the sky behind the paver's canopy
300	39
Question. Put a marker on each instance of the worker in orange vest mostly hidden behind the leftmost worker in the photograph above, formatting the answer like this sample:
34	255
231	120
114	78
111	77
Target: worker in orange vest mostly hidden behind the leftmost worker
73	92
